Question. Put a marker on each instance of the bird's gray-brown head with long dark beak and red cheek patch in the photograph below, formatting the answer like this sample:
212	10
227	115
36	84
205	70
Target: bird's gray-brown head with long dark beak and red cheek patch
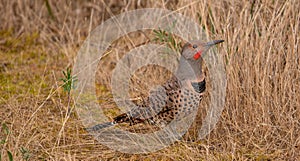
193	50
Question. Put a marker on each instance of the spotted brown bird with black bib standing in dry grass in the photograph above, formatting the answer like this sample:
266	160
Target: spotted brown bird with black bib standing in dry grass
176	98
